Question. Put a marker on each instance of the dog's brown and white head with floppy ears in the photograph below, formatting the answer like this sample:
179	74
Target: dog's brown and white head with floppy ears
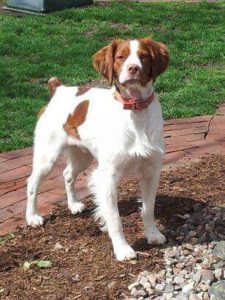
132	61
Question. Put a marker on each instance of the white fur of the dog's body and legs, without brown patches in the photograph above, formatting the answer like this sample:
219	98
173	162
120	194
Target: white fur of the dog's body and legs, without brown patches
120	140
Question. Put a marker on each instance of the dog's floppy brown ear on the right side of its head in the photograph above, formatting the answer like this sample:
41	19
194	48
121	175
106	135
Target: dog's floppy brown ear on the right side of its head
160	56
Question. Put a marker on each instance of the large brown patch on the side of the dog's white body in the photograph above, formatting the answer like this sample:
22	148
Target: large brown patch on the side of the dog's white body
76	119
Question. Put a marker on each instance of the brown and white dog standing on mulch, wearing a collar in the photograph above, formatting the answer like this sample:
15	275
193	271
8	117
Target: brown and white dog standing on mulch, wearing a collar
121	128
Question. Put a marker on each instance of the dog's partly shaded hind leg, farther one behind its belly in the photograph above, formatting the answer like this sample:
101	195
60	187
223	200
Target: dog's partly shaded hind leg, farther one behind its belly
77	161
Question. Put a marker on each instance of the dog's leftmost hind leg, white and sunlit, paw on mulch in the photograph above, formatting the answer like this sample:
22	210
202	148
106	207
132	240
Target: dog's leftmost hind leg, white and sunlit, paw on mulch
44	158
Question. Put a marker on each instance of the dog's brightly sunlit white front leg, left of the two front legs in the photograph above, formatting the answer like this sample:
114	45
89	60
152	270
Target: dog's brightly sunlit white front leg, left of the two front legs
104	182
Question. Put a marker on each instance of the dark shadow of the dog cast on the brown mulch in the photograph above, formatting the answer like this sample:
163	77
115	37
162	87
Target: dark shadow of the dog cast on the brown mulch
168	215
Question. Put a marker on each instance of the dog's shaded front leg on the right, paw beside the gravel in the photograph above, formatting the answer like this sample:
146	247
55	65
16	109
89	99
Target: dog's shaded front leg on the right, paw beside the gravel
150	180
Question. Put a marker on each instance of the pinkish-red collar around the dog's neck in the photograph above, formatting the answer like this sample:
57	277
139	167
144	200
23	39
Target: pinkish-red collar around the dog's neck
133	104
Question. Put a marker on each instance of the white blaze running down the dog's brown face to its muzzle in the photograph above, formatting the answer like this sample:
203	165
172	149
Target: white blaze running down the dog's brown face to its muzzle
132	59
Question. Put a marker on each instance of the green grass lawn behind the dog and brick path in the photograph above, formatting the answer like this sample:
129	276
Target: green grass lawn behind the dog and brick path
35	48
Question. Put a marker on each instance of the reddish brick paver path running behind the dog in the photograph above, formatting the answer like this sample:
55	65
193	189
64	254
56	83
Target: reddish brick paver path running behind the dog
185	140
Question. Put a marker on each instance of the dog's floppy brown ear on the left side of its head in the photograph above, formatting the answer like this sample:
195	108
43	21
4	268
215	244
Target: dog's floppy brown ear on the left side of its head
104	58
